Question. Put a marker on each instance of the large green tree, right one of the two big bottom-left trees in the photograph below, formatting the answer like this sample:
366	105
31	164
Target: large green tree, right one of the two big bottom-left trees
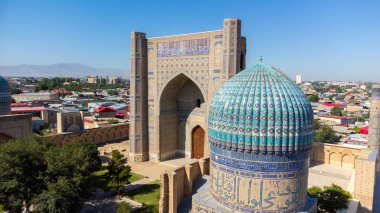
68	169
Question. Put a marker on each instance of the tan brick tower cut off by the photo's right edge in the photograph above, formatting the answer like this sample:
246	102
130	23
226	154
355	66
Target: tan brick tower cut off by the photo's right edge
374	119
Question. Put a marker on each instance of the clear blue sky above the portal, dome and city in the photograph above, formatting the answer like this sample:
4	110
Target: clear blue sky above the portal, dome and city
319	39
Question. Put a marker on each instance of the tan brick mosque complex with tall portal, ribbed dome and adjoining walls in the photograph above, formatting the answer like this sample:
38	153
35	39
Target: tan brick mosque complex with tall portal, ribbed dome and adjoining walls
251	129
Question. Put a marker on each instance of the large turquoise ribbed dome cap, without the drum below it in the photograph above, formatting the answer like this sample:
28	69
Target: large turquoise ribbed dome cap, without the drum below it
260	110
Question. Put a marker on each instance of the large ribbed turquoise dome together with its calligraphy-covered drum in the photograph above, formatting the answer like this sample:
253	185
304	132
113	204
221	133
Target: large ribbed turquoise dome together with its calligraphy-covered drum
260	134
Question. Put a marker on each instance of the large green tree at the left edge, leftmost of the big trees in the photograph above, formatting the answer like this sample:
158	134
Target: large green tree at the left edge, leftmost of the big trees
22	175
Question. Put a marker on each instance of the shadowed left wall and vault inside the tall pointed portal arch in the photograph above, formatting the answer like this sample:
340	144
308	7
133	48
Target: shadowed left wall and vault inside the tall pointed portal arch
180	97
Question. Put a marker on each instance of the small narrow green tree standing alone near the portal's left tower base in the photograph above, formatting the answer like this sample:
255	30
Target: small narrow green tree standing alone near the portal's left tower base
118	170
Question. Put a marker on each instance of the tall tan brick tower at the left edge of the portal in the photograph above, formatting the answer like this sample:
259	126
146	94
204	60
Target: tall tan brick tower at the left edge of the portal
138	129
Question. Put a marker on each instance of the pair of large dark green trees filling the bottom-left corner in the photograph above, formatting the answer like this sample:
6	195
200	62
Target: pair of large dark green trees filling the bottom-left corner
39	173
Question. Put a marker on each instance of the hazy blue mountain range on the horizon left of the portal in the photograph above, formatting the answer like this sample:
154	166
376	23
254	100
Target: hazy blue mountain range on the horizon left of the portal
60	70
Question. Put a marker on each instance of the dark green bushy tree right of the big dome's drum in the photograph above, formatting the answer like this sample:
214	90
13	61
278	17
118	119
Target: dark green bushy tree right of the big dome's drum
330	198
